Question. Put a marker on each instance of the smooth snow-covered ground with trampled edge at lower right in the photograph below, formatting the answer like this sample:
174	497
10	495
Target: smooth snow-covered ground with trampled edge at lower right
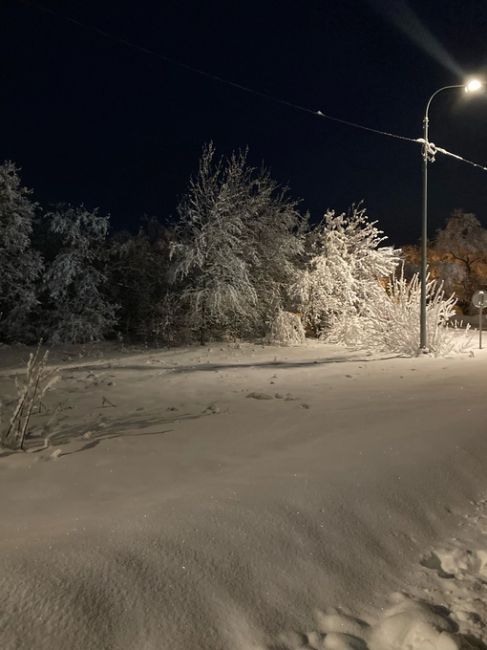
248	498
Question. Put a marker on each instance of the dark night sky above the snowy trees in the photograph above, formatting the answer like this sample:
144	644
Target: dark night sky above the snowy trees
90	120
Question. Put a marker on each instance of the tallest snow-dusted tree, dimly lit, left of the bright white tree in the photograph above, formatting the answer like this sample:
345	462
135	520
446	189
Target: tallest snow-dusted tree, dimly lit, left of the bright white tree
235	247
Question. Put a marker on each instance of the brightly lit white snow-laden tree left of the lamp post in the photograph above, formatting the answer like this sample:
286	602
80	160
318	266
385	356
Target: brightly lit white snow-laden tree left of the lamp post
345	266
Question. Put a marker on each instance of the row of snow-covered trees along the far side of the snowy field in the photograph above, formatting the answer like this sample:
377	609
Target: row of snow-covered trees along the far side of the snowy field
239	260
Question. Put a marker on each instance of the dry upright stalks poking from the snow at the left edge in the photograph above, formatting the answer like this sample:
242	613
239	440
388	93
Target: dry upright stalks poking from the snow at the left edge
30	392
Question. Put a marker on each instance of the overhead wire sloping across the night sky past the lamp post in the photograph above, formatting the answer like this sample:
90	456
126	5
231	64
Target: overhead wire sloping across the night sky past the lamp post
204	73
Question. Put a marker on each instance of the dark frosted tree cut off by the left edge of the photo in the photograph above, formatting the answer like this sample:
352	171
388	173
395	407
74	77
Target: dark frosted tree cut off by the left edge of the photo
20	265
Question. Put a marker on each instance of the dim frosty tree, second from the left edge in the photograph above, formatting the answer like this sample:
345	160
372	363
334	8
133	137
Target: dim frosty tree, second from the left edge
75	305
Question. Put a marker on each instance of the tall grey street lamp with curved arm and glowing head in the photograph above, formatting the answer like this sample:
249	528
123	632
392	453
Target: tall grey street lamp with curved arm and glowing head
471	86
